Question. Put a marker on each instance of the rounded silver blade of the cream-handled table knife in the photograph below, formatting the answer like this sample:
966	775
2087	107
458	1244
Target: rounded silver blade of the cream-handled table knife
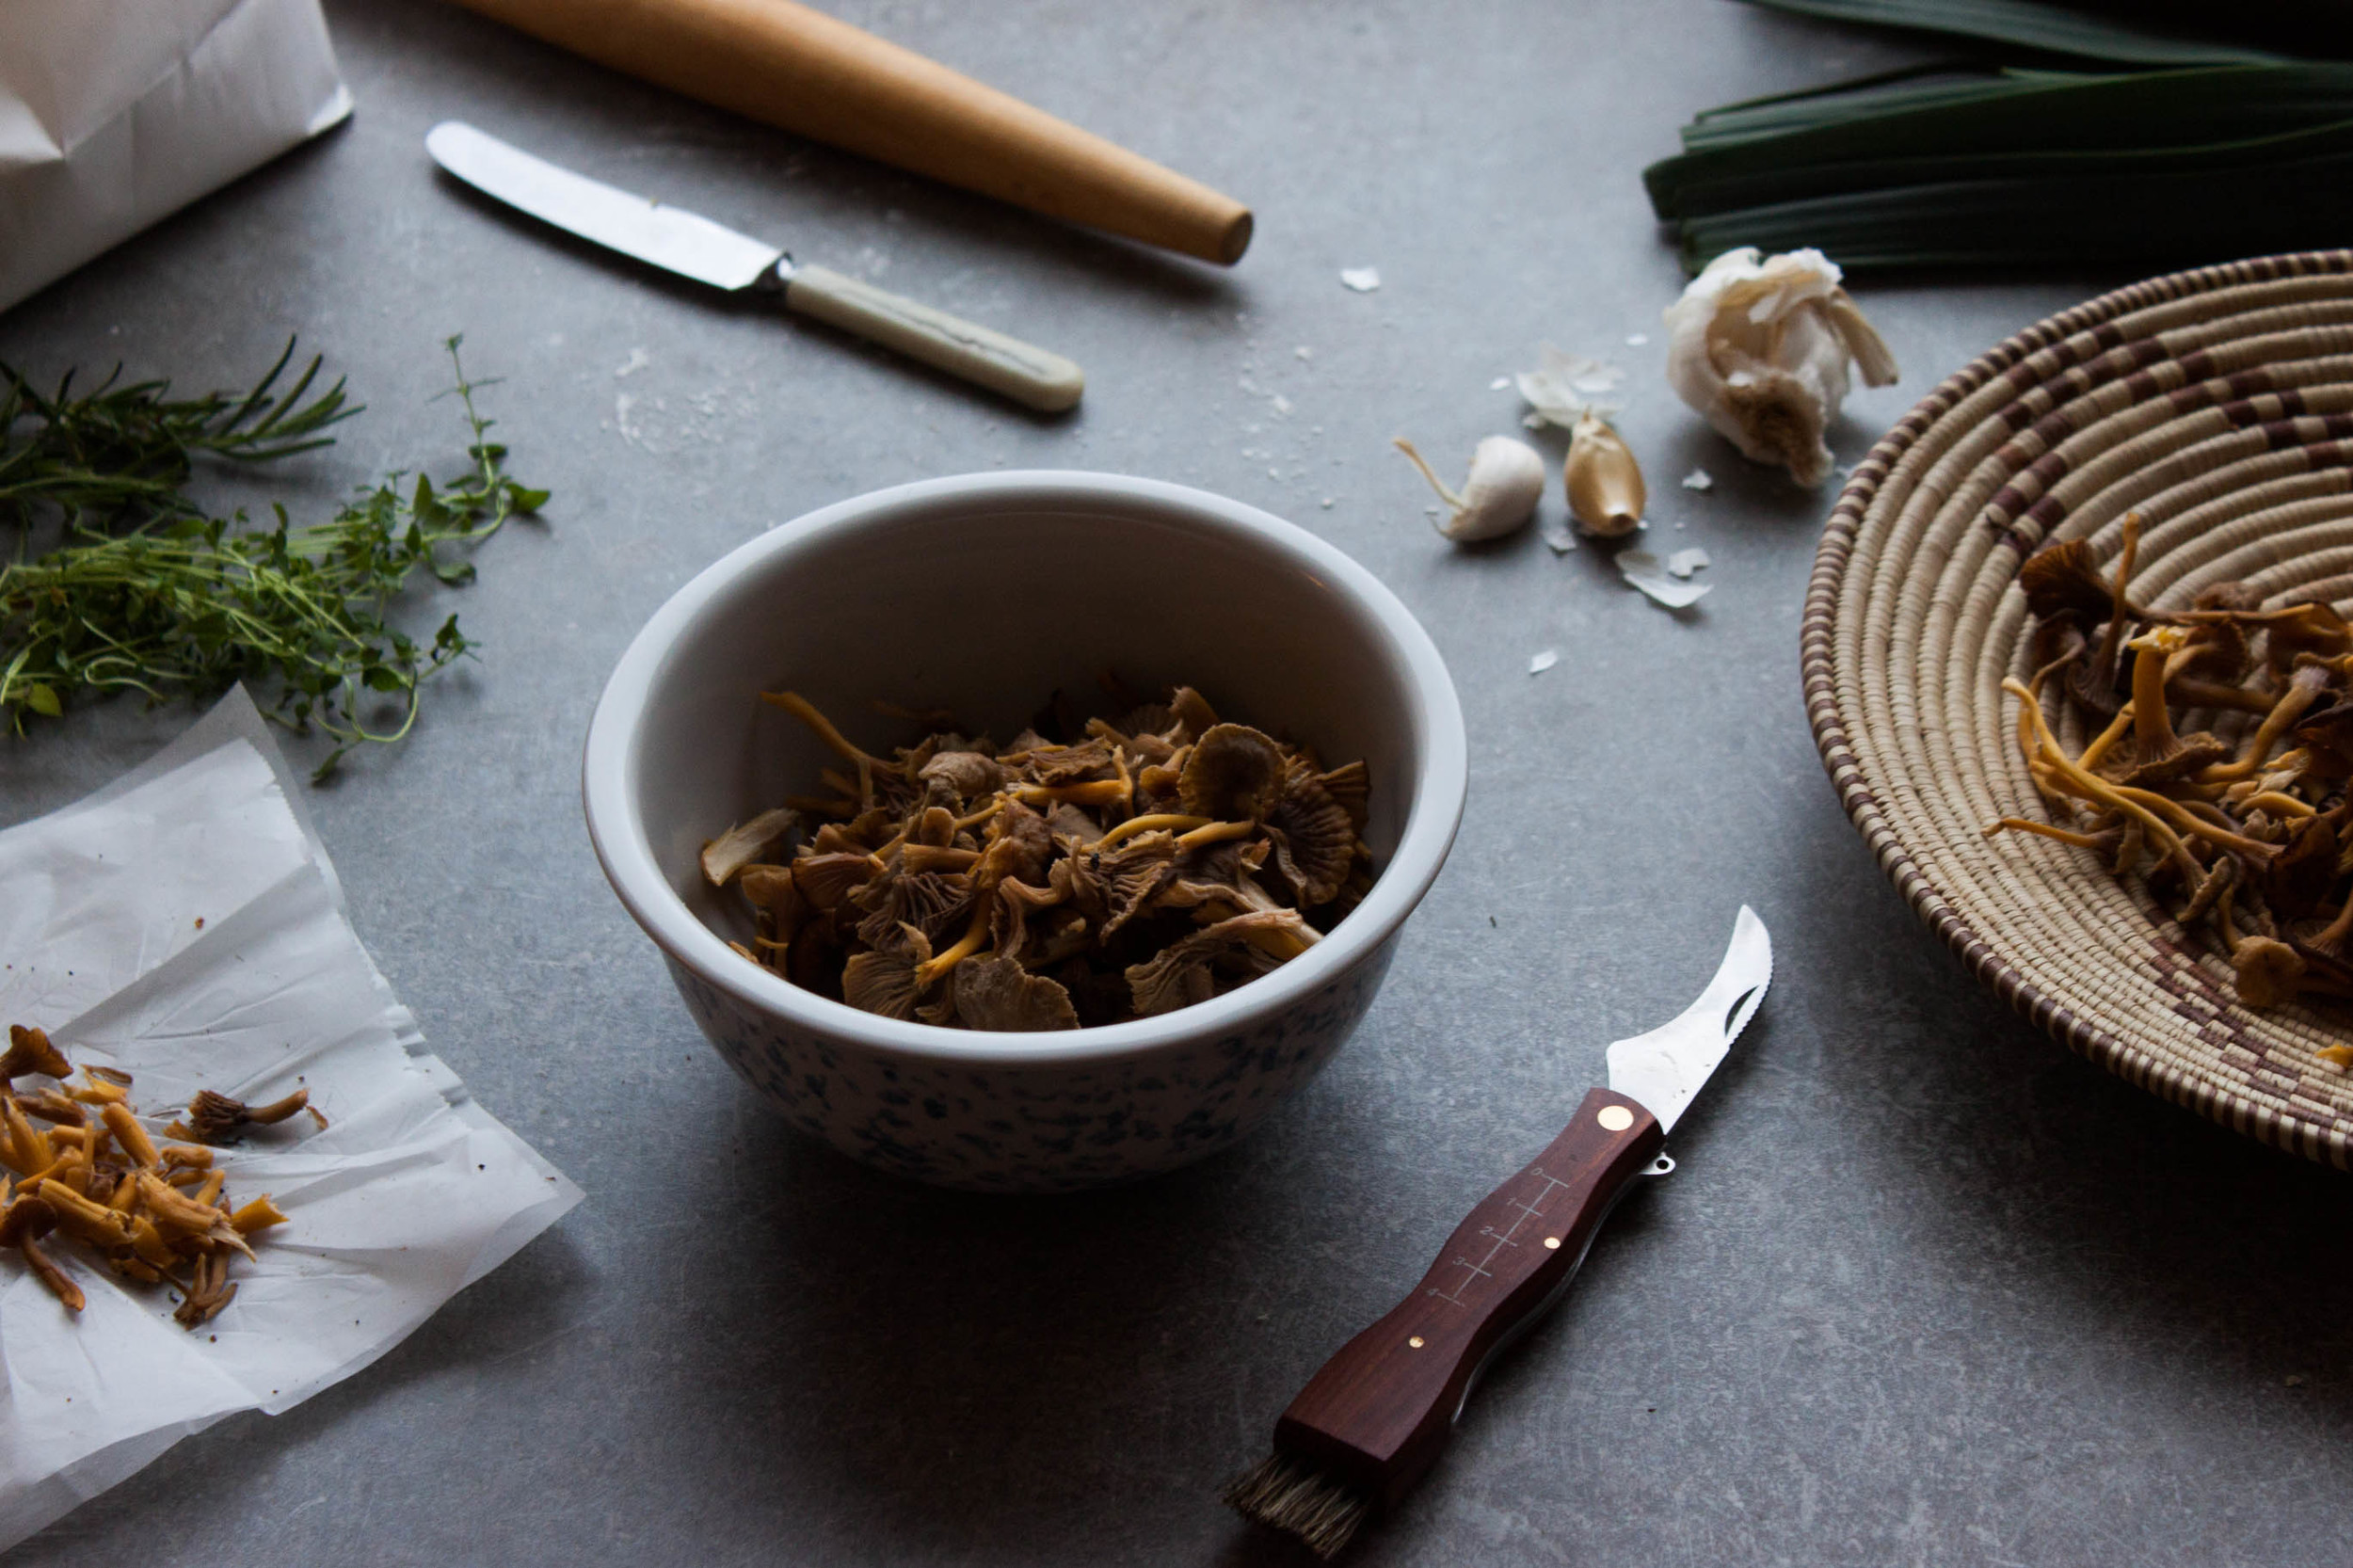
662	237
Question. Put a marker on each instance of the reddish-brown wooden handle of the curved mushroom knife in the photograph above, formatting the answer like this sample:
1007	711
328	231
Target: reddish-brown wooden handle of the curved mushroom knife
1380	1411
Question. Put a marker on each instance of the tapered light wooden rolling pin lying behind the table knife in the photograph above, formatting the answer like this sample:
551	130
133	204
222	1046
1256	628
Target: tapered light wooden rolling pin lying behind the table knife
822	79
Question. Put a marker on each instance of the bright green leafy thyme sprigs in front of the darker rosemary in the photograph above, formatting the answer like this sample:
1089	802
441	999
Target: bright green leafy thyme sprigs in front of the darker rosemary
185	606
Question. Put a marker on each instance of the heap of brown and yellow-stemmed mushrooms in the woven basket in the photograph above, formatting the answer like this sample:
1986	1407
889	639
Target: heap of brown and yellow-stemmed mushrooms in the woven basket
2244	828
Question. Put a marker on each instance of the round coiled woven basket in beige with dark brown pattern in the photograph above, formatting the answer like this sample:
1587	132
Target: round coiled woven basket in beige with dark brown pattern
2215	404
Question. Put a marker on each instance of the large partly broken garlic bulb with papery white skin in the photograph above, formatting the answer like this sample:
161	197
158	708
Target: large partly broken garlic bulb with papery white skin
1761	350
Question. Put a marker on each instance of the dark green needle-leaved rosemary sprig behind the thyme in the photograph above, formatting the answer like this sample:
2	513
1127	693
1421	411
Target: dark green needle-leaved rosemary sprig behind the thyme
124	453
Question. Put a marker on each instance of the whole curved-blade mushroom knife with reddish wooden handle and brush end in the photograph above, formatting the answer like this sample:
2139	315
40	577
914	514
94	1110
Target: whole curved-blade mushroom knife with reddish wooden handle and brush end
1375	1418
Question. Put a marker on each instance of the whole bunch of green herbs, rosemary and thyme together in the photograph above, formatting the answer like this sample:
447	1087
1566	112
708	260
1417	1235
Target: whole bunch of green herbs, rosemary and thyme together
154	597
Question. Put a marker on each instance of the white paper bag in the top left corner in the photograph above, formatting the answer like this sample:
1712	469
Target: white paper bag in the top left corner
121	112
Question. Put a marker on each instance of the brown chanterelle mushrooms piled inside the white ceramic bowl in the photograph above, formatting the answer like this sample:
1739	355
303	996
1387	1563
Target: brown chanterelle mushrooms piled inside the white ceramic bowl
1088	872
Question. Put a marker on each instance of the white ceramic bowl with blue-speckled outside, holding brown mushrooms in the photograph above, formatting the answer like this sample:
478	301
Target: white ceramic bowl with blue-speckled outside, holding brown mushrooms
982	594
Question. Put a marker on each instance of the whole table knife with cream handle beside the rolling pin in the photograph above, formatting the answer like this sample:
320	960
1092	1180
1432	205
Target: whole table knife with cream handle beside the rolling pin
698	248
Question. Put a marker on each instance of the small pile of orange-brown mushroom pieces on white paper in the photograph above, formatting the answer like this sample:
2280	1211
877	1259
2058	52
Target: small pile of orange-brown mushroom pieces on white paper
93	1171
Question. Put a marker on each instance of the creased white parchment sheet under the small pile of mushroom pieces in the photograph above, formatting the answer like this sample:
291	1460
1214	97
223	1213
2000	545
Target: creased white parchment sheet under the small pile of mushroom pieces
408	1195
